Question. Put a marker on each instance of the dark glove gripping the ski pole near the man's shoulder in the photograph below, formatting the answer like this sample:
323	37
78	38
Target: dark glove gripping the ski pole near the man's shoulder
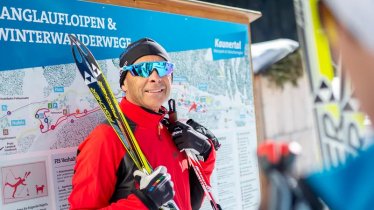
185	137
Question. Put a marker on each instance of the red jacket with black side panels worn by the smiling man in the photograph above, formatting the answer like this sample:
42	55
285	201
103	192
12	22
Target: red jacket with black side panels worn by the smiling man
100	157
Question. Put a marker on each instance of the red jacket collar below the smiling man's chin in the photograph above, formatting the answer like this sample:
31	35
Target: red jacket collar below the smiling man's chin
141	116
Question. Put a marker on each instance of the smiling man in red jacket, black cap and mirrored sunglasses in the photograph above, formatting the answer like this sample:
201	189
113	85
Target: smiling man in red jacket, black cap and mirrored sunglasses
104	174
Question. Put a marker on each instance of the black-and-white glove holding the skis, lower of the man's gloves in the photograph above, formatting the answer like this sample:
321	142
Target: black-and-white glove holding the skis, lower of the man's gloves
155	189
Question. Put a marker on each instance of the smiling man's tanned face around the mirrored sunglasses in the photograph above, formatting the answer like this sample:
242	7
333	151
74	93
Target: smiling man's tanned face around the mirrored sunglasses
149	92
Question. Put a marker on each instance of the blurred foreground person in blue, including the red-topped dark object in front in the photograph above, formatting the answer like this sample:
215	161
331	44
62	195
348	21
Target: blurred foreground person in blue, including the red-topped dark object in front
350	30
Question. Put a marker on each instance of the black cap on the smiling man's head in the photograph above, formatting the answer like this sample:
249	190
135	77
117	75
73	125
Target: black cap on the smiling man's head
138	49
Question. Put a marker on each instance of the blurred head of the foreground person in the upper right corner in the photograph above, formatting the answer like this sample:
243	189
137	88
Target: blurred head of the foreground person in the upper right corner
348	26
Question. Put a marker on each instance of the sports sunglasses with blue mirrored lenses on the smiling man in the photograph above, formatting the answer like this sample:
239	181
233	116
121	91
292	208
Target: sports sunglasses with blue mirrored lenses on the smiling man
145	69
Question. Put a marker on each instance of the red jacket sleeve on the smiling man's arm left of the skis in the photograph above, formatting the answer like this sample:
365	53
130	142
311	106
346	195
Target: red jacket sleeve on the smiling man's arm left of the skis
95	176
